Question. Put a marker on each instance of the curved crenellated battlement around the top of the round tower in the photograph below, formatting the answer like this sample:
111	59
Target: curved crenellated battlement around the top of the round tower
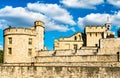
19	31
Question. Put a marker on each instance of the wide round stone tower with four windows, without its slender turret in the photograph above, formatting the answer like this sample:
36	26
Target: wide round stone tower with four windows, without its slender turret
19	45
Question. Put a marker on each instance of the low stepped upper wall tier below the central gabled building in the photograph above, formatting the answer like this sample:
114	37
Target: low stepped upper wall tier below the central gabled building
67	52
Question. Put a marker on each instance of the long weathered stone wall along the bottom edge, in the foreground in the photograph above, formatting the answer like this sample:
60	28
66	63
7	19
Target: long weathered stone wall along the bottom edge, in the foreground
58	72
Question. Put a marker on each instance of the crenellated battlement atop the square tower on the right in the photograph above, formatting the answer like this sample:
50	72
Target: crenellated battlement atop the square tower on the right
95	28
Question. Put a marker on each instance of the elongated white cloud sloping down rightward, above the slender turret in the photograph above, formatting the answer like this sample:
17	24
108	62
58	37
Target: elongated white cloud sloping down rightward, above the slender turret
53	11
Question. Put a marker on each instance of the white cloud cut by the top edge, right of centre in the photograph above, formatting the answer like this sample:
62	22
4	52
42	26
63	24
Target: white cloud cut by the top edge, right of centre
82	3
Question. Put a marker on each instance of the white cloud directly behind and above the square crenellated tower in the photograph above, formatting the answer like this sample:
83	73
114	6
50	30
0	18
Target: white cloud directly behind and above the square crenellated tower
98	19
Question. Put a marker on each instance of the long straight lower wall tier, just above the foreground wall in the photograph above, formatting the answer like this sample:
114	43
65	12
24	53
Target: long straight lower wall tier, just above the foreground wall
77	58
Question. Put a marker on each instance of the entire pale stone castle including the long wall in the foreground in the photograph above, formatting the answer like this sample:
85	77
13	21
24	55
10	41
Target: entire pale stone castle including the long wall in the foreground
92	54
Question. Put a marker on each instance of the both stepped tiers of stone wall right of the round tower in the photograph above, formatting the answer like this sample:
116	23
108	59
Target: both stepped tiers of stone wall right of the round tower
70	56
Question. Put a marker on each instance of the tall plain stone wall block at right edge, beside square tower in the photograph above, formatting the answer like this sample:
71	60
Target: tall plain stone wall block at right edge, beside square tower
109	46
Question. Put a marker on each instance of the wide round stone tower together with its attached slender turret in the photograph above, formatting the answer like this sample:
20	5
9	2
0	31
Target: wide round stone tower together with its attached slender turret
22	44
